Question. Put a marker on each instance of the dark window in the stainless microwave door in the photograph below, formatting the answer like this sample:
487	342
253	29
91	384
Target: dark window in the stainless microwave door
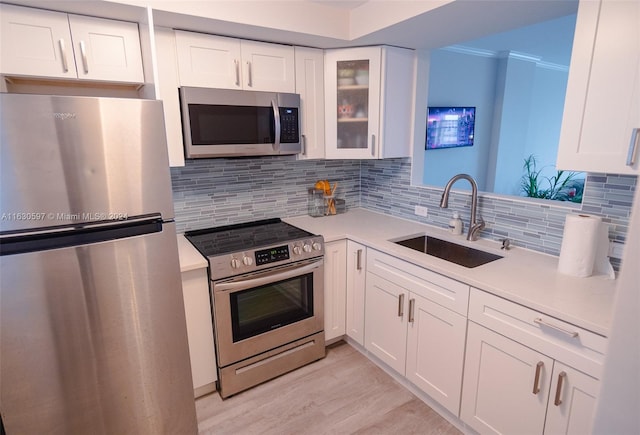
231	125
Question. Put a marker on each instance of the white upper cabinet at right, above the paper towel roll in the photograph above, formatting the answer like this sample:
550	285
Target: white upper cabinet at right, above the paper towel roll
602	108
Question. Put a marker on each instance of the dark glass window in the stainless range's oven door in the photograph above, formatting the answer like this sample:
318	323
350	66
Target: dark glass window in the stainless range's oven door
262	309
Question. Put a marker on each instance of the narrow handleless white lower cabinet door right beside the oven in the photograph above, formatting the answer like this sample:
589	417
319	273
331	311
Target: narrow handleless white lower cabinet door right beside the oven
335	281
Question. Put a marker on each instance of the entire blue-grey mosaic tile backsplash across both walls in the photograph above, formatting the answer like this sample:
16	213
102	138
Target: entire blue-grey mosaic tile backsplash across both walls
213	192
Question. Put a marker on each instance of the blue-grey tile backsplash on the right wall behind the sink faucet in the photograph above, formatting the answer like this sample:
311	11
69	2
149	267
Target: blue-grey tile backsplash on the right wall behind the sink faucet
536	225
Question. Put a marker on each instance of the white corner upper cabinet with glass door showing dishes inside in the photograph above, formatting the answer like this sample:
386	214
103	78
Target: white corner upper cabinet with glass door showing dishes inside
369	102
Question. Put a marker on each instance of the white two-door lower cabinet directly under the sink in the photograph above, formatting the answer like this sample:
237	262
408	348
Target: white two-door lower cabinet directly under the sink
410	332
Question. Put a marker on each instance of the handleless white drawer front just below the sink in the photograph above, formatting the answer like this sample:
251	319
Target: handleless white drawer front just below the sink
443	291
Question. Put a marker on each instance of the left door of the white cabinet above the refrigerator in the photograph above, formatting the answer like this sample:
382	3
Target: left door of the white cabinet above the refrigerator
35	43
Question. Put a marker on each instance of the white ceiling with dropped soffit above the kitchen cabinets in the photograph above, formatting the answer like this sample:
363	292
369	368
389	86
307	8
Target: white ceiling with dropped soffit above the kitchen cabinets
419	24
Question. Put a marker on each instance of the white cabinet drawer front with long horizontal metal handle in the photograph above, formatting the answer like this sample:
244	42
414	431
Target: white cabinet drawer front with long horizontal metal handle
560	340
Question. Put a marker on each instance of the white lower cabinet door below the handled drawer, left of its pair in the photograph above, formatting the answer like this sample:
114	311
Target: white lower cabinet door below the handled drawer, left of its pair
506	384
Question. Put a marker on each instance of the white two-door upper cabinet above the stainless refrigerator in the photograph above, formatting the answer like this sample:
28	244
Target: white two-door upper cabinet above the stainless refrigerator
57	45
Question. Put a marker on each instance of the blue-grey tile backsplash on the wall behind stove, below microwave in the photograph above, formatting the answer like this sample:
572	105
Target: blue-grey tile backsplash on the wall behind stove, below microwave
214	192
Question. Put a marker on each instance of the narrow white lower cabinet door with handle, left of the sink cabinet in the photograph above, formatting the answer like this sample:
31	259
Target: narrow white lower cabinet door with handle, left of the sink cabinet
356	274
